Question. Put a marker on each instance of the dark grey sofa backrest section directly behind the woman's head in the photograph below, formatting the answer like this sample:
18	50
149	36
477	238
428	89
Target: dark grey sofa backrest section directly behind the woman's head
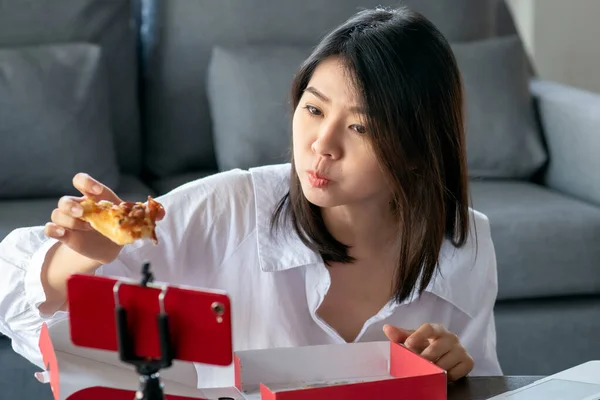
183	33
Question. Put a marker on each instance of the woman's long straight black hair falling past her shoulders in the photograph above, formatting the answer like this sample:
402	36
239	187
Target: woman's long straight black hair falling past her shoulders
411	88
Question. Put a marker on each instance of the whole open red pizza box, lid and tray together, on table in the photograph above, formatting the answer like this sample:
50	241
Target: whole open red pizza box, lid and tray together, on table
343	371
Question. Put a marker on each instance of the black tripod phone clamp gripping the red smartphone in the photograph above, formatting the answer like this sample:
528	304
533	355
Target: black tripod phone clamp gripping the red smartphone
148	368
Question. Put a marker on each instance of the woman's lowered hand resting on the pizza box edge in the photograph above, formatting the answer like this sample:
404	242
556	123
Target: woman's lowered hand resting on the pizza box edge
436	344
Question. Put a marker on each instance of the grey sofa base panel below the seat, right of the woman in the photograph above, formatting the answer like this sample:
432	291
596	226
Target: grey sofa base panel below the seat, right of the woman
528	331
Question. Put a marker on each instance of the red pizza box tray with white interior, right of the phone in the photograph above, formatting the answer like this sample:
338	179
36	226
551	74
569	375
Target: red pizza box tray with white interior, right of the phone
357	371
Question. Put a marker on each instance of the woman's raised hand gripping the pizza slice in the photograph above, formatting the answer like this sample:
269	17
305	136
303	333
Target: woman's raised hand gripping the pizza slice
77	234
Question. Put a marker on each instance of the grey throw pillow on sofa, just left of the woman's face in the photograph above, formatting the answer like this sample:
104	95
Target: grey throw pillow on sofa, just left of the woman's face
248	91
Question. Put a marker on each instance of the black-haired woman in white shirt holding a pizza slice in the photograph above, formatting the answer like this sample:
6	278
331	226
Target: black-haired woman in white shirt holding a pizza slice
367	233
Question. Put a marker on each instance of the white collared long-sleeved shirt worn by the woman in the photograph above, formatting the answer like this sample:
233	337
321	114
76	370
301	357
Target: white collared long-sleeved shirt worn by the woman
216	234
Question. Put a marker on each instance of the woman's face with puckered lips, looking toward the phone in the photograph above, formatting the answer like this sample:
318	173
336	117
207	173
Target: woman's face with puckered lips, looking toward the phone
333	155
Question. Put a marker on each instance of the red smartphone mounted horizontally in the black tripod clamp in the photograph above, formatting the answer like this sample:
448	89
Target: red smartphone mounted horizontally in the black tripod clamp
199	331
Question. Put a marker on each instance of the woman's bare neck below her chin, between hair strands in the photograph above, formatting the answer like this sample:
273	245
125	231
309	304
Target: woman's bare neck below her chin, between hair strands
368	232
